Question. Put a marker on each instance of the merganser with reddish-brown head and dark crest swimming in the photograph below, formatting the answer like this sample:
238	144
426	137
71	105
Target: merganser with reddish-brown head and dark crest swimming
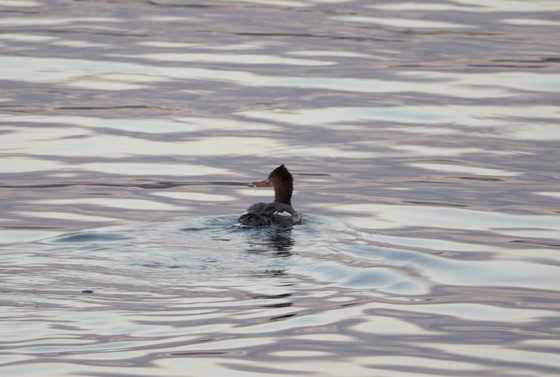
278	212
